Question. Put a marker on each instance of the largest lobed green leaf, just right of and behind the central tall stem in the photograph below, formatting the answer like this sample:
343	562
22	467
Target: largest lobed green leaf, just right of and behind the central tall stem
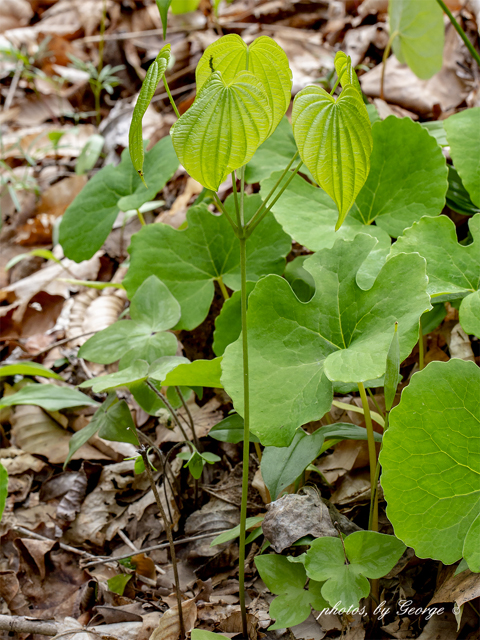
343	334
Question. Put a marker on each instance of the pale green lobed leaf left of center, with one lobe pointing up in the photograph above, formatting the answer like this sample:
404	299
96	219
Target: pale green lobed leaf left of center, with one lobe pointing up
153	309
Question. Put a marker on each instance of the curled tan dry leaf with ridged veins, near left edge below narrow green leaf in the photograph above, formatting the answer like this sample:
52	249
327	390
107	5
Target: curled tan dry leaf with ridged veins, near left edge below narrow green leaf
34	431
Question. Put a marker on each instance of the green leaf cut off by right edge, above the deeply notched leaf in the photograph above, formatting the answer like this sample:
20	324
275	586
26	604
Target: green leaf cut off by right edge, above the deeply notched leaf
463	135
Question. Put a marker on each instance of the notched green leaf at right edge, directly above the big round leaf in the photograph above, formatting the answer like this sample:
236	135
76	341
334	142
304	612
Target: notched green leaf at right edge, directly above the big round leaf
453	269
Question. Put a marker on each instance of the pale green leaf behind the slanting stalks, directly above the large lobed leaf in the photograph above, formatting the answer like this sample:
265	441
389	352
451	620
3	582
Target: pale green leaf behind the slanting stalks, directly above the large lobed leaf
313	224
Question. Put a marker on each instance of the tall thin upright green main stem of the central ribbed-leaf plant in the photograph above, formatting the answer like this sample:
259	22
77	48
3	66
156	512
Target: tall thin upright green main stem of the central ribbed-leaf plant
246	434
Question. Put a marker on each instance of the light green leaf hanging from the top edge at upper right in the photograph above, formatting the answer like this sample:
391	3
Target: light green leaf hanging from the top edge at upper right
420	35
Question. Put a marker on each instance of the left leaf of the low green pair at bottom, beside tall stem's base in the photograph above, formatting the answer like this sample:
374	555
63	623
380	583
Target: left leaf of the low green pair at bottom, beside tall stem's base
287	579
